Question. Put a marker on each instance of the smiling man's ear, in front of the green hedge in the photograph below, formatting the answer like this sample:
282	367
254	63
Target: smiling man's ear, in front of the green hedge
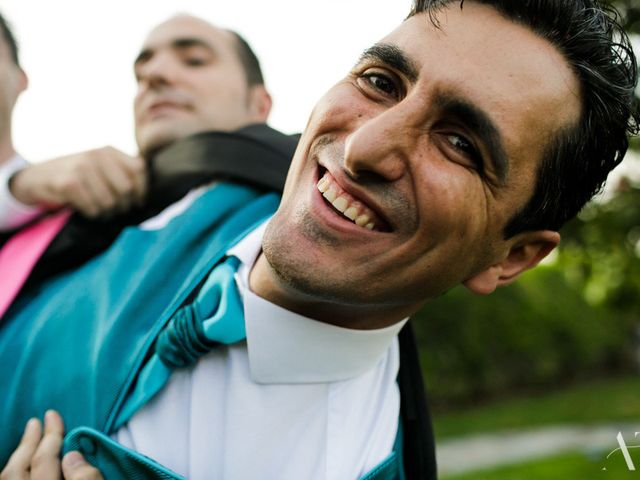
527	250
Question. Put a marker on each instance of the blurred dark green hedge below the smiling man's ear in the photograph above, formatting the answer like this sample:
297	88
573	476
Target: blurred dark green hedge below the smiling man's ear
534	333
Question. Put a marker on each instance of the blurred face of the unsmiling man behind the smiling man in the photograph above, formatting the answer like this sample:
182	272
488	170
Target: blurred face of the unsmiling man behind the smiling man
189	80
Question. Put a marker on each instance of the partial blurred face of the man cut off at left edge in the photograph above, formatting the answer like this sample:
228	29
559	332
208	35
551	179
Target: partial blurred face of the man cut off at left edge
12	82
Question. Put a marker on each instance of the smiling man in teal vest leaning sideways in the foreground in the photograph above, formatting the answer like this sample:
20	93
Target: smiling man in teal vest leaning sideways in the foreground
452	153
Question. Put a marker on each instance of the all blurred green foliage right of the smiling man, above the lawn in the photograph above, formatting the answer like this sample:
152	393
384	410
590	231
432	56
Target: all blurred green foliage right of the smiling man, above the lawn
578	317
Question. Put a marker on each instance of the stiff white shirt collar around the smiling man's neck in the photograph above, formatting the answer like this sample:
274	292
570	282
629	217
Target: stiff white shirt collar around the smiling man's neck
285	347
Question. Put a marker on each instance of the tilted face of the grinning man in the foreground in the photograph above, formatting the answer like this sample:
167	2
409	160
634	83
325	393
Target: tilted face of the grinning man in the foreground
432	142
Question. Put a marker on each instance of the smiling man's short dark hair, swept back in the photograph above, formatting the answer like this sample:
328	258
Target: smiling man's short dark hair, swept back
577	161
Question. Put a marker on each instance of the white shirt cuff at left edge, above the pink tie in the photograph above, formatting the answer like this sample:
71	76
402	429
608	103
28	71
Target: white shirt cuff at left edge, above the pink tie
13	213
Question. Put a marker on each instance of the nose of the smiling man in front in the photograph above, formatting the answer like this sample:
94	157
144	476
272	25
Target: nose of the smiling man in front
380	146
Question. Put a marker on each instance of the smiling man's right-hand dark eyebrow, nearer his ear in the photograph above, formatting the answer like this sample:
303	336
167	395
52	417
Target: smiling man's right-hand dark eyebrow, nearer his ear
479	123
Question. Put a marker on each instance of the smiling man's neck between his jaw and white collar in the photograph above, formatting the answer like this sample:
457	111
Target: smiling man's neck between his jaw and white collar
265	283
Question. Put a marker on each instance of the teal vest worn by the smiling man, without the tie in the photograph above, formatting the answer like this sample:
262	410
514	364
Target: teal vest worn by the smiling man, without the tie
77	342
